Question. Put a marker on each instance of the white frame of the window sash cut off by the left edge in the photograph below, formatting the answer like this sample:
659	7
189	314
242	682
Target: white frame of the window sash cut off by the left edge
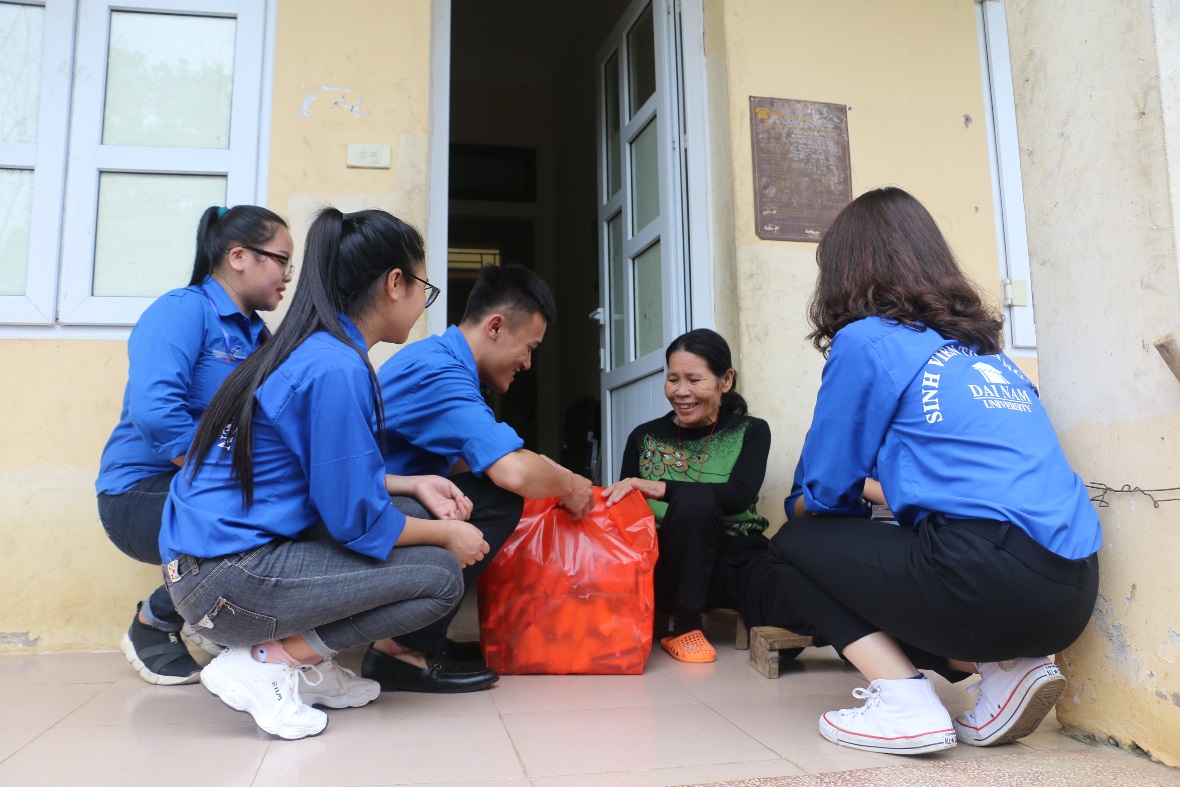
48	161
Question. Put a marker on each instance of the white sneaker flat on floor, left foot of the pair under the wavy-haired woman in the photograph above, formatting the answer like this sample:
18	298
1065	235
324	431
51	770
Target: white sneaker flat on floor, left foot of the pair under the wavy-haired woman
902	717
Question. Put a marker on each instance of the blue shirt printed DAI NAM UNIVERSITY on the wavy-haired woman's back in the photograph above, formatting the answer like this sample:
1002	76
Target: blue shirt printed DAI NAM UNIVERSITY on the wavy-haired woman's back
947	431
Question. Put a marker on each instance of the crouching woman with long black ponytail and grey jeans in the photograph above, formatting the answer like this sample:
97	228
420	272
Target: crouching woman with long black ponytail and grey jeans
280	537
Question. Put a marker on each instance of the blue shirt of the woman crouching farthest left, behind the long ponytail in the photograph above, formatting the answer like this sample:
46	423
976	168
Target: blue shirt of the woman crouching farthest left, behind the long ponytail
180	352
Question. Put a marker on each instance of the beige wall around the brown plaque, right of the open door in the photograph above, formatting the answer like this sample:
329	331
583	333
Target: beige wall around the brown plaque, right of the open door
906	128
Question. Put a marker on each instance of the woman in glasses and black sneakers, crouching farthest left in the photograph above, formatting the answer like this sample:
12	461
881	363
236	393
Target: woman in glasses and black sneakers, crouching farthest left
180	352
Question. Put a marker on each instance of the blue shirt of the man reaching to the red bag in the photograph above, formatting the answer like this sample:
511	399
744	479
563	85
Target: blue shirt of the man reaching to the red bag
435	414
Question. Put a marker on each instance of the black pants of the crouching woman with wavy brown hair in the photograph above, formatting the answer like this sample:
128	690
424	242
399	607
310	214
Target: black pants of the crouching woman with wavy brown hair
969	589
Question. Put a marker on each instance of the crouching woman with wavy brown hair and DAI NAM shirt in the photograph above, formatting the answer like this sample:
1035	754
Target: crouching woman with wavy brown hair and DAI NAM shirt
994	561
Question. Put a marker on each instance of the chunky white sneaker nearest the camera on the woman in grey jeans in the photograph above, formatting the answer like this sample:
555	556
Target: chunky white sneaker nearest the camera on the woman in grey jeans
267	692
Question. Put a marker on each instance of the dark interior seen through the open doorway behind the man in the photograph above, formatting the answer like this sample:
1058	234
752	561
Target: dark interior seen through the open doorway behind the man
523	77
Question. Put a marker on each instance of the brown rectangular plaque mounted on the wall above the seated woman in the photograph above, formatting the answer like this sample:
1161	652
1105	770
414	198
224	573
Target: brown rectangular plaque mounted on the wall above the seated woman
803	173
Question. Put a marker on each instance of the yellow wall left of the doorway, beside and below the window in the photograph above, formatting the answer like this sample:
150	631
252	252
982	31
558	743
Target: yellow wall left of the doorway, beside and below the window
63	586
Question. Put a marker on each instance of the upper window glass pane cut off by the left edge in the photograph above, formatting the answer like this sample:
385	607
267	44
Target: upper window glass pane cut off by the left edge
22	31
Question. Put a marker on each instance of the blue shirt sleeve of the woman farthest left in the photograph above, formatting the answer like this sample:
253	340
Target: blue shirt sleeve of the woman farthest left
162	353
